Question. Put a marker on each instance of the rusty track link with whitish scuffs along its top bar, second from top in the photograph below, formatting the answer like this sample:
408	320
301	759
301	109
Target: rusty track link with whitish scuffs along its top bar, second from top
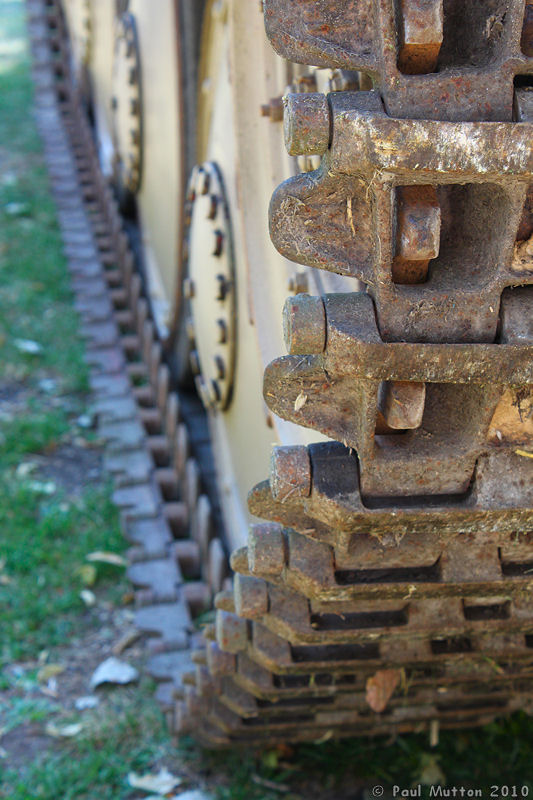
343	217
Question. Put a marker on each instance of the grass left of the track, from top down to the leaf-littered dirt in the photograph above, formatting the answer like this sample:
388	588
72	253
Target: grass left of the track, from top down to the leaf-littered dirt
44	538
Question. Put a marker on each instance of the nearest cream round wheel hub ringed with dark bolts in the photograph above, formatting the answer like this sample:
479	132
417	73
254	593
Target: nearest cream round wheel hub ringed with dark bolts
210	287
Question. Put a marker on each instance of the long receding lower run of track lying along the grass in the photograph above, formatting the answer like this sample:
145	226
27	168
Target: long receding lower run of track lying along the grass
156	443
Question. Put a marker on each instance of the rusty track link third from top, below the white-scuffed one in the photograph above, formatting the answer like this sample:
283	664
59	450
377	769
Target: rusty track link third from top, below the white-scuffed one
339	393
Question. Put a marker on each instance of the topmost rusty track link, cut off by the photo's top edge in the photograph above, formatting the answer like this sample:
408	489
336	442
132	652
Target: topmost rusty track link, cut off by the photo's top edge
478	60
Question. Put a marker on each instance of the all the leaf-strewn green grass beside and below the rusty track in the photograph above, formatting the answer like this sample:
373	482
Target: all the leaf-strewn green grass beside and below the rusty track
46	537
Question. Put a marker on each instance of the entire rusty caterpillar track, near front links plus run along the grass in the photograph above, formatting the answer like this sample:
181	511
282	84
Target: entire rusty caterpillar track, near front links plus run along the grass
389	590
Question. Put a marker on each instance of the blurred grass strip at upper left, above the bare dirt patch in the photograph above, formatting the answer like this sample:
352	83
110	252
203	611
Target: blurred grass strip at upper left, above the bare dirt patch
35	298
